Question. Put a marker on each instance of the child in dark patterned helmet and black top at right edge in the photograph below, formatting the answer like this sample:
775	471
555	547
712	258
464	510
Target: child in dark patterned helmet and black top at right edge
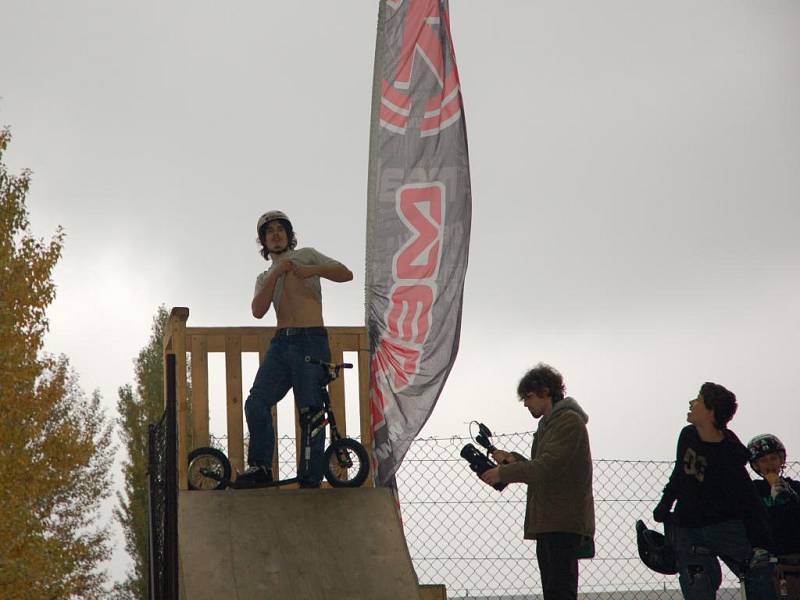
781	497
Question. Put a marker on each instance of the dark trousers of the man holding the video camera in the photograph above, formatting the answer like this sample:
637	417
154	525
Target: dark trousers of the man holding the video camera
557	554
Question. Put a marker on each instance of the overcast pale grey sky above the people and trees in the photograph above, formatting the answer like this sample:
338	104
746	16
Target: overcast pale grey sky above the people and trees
635	172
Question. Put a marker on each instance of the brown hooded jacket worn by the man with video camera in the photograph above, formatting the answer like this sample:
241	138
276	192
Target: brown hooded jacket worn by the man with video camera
559	474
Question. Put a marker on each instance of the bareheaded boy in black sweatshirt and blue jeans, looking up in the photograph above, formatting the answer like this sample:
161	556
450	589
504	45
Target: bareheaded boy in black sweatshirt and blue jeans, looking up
717	515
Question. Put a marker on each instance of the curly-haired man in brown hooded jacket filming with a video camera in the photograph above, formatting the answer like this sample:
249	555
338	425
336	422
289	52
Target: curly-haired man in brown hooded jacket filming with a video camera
560	508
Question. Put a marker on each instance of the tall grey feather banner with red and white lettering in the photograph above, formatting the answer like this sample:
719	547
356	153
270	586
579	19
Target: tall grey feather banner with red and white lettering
419	210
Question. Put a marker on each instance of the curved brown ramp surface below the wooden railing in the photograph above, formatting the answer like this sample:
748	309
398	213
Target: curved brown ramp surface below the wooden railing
317	544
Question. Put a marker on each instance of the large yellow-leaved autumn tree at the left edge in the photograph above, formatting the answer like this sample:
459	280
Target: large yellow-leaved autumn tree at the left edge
55	442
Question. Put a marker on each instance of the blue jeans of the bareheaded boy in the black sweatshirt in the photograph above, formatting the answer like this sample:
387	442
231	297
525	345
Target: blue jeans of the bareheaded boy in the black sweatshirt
698	550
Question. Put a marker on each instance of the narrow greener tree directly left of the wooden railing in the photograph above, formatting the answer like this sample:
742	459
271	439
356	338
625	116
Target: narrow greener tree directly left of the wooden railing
137	410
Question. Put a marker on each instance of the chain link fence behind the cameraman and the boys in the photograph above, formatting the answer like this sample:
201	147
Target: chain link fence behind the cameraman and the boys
467	536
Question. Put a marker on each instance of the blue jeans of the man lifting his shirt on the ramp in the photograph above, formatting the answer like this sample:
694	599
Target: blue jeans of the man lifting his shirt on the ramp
285	368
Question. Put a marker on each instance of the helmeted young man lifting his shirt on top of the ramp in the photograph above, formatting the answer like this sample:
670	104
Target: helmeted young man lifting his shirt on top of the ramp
292	286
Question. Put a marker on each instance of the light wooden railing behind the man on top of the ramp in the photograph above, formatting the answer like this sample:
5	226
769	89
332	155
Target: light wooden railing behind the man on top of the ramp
195	343
